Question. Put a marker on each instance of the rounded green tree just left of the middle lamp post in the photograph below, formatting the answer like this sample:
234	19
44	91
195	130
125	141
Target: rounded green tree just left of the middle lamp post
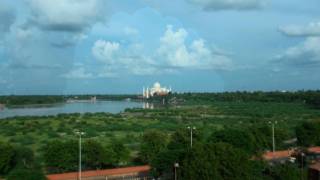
153	142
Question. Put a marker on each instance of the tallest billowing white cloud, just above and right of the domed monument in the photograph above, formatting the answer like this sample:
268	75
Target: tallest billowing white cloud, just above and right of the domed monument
176	52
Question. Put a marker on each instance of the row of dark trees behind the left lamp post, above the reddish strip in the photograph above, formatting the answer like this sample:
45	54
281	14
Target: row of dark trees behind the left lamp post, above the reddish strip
63	156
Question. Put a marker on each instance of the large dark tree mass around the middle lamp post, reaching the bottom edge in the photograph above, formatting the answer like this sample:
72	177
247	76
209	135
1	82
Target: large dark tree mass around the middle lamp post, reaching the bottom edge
223	155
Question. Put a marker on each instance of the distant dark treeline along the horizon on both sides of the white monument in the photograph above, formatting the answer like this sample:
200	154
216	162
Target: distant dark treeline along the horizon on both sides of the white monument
311	98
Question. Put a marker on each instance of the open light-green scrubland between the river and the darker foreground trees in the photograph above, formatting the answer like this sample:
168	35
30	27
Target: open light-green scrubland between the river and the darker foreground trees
128	127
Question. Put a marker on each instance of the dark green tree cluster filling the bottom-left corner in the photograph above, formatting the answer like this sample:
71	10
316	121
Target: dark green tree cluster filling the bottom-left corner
19	163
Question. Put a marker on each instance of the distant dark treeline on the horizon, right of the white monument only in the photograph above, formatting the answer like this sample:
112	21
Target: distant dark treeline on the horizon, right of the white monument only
309	97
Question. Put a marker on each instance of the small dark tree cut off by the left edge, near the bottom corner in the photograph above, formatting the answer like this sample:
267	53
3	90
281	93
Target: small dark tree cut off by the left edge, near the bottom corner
6	157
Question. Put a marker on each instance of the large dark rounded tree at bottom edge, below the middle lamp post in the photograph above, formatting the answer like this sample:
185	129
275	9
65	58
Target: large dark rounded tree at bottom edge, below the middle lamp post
215	160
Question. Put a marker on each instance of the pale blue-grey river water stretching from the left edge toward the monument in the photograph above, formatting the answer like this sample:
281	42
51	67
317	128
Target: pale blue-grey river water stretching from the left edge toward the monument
85	106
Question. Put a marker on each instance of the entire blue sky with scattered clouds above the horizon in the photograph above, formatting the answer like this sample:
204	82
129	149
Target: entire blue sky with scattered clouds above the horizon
119	46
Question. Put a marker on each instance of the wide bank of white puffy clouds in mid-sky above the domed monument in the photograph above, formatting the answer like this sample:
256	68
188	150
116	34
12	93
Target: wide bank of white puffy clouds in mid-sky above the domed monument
172	53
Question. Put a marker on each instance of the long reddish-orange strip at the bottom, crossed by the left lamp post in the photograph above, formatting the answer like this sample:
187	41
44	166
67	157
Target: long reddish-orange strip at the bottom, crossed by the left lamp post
127	173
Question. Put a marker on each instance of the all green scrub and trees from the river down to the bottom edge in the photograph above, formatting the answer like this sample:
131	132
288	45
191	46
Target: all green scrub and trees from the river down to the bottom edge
230	128
